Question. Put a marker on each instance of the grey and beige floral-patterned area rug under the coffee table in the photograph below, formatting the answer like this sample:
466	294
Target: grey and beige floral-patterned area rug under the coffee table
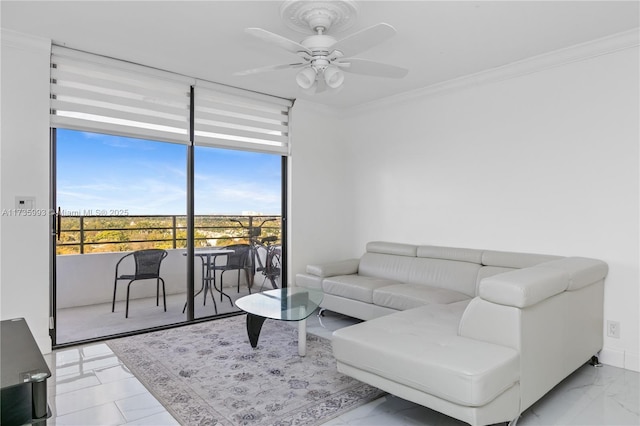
208	374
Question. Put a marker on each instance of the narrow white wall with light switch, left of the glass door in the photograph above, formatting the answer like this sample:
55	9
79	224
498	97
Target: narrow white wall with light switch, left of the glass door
24	171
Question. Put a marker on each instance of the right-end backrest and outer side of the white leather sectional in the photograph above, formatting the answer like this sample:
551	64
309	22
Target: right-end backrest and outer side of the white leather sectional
551	313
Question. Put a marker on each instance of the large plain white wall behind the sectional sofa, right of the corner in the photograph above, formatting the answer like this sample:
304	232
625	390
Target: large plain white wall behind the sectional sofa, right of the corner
544	163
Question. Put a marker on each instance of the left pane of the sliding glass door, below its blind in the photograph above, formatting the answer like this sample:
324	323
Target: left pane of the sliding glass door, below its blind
115	196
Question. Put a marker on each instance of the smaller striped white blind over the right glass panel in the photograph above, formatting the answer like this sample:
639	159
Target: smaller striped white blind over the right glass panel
238	119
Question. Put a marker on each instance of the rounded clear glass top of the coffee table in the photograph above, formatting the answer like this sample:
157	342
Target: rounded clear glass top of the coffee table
286	304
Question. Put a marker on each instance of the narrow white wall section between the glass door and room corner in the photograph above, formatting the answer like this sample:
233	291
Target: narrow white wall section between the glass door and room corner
320	207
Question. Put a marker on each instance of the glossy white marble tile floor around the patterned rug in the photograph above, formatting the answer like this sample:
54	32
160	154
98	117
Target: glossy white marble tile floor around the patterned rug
90	386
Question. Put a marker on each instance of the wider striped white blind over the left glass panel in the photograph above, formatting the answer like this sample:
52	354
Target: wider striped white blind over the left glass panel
105	95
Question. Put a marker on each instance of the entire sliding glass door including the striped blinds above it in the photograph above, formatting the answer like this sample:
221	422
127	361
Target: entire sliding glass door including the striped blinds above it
142	160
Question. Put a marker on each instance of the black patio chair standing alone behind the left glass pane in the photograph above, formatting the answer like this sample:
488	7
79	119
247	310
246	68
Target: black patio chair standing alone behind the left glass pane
147	267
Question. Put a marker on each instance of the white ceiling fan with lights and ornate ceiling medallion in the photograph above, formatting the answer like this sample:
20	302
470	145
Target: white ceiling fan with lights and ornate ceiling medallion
323	59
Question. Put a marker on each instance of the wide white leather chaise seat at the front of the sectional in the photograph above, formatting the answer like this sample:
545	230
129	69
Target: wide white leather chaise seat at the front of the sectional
420	348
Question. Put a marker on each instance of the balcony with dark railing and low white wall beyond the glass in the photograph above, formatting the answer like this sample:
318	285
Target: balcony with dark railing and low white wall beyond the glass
94	244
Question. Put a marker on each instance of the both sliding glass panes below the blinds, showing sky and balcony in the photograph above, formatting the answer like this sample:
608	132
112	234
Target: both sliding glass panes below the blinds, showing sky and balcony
115	196
